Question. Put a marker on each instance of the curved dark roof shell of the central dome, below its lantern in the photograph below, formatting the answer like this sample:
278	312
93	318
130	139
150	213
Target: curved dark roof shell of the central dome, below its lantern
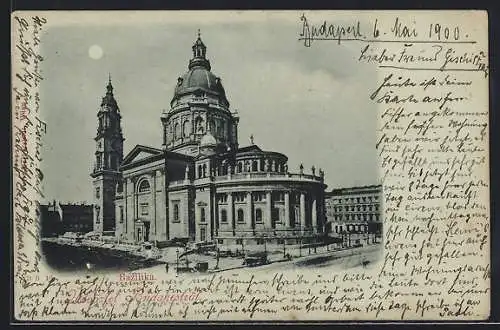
199	78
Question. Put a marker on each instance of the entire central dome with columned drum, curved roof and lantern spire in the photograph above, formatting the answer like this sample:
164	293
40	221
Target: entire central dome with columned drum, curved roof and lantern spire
199	114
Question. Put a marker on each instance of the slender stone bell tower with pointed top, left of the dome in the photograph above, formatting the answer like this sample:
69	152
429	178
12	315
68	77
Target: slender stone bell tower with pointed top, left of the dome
108	158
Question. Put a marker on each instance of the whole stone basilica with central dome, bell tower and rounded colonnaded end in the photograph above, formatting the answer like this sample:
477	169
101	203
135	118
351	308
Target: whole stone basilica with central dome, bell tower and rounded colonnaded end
200	185
